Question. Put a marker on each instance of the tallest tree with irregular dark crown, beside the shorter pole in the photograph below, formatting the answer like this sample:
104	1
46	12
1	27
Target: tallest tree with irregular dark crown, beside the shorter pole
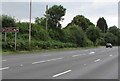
55	14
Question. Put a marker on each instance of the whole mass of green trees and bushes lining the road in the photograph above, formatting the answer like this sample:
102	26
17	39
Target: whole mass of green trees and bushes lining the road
79	33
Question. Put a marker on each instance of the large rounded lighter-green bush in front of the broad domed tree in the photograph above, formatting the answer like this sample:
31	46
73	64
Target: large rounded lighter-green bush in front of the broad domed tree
74	34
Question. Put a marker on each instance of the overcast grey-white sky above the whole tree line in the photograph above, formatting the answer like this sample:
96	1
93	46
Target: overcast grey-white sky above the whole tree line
91	9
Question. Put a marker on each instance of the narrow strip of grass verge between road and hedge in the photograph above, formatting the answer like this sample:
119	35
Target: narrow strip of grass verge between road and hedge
43	50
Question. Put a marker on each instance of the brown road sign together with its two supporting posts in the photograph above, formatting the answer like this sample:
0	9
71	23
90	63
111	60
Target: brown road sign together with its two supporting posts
11	29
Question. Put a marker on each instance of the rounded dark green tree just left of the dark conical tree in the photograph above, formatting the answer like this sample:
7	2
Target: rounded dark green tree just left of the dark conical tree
93	33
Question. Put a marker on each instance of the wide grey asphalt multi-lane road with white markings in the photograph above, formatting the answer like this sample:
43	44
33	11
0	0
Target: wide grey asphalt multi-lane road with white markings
96	63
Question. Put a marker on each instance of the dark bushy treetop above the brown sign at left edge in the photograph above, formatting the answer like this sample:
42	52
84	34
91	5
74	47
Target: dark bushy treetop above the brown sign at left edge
7	21
